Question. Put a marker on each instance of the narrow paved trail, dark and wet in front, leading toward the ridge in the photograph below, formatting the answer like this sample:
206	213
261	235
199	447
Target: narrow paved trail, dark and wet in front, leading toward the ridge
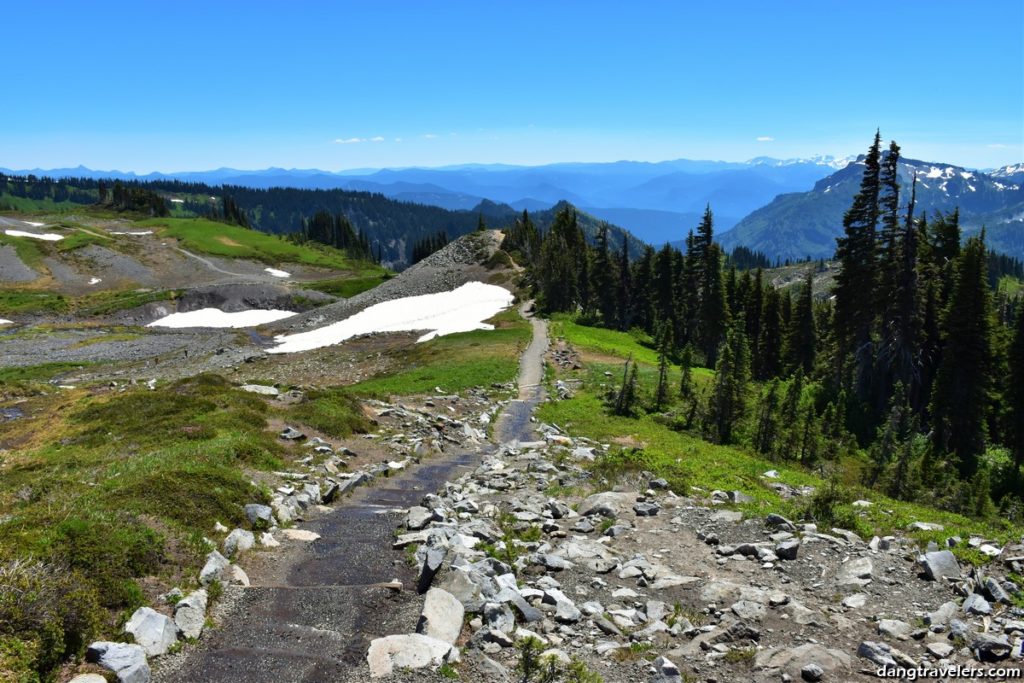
312	612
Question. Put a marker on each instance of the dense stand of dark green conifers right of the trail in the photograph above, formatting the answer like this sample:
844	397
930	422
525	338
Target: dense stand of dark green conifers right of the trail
911	361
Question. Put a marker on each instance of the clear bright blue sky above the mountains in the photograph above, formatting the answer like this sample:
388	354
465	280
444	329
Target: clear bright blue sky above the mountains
189	86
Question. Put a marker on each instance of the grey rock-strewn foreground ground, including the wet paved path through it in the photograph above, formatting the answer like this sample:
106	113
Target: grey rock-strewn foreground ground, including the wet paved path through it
524	564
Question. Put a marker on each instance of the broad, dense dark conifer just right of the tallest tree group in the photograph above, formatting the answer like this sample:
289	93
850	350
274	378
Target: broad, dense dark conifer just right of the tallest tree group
960	397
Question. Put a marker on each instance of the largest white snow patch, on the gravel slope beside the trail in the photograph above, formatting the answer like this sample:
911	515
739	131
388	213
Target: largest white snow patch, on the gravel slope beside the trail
459	311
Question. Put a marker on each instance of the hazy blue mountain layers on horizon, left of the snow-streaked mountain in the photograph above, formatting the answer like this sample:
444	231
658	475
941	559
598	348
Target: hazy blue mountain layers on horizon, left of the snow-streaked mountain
658	202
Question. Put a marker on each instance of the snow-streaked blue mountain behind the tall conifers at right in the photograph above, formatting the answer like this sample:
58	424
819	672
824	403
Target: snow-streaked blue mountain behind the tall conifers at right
799	225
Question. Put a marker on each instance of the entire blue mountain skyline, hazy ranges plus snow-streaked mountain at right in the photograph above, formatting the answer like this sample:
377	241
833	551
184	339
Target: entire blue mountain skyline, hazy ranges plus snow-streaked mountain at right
787	208
